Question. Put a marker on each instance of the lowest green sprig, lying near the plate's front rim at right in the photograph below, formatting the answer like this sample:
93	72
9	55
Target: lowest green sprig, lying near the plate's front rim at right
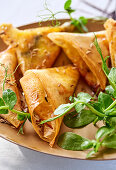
105	137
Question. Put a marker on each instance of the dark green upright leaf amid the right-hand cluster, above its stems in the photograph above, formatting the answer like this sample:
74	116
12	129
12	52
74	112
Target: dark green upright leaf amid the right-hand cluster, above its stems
105	100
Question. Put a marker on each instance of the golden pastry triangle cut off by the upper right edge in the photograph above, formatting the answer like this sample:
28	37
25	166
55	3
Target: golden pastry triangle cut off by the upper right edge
110	26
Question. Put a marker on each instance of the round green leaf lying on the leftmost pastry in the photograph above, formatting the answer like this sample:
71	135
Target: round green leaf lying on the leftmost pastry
9	98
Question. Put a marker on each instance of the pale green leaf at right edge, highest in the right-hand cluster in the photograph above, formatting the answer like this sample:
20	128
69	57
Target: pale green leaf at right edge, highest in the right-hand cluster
112	75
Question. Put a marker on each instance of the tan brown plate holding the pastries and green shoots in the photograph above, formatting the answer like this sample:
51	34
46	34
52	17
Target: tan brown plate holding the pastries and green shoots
32	141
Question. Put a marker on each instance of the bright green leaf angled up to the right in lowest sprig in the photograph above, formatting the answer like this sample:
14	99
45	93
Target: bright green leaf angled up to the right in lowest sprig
104	131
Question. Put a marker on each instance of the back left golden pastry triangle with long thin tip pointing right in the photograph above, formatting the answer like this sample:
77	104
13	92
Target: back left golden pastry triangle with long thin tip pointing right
34	48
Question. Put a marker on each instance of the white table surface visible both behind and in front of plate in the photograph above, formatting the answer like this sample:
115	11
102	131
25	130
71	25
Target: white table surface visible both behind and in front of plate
12	156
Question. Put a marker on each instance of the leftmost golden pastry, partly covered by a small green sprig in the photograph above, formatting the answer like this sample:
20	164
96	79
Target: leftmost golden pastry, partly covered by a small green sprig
8	59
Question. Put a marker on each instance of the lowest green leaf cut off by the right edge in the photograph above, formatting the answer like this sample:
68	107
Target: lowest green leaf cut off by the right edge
110	142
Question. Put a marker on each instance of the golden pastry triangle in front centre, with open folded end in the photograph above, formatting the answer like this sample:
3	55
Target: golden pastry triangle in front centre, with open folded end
45	90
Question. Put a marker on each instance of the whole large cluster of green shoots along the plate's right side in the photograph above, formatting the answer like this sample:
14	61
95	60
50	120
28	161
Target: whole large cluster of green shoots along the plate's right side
86	110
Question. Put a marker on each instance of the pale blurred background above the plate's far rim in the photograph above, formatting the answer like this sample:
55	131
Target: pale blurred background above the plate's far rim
20	12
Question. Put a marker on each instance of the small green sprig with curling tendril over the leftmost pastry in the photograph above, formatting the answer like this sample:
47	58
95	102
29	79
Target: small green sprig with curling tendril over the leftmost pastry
8	101
